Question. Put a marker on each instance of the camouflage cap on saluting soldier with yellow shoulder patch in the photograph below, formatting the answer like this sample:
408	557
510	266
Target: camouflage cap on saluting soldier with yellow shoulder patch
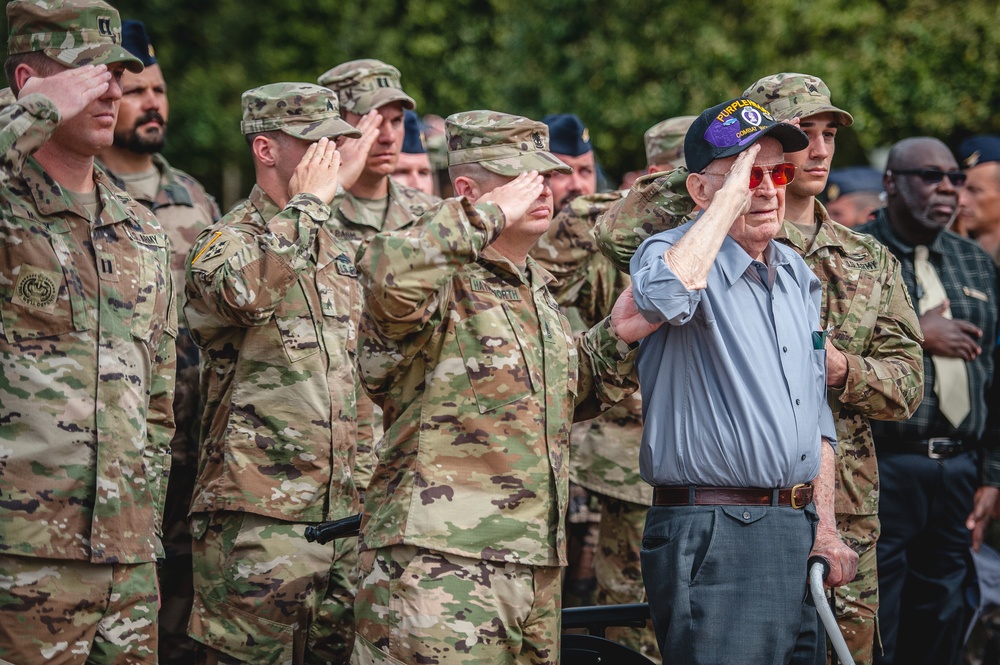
302	110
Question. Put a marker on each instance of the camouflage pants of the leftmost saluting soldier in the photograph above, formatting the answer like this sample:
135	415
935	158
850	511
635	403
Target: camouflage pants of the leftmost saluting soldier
63	612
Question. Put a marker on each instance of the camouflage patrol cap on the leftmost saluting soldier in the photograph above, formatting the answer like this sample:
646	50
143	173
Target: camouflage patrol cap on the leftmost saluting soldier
74	33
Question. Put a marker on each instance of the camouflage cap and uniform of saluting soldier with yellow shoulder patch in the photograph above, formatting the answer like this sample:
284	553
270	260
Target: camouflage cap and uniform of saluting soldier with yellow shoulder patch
273	302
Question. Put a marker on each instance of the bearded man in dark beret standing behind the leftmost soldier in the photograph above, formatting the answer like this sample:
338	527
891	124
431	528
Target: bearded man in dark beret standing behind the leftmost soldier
183	209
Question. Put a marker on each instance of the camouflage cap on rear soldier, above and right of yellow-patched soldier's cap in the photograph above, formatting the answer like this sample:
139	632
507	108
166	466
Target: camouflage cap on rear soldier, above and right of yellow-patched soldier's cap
363	85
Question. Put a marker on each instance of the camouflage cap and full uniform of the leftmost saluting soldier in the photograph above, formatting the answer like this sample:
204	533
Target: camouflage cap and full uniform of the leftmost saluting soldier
87	345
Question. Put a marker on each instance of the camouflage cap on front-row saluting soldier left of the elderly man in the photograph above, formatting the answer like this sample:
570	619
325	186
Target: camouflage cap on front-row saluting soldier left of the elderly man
507	145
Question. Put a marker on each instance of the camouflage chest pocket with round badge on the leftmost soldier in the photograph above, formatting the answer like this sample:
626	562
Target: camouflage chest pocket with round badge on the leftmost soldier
39	285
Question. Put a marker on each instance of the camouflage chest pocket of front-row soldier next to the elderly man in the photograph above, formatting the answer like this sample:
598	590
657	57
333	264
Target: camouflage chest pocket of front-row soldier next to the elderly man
494	359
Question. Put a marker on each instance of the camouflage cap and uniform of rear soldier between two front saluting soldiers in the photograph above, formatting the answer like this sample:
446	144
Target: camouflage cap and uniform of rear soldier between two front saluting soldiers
363	85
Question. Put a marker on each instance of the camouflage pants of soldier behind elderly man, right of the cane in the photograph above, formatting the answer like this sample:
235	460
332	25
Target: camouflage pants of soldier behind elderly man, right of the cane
857	601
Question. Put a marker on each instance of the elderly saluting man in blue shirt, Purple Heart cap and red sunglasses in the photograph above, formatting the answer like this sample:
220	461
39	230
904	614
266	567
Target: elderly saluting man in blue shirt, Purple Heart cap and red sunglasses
738	437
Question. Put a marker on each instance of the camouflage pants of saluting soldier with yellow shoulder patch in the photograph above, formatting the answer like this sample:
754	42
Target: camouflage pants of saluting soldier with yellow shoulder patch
263	594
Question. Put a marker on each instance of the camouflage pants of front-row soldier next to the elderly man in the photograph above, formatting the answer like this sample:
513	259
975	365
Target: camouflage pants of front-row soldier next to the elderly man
419	606
